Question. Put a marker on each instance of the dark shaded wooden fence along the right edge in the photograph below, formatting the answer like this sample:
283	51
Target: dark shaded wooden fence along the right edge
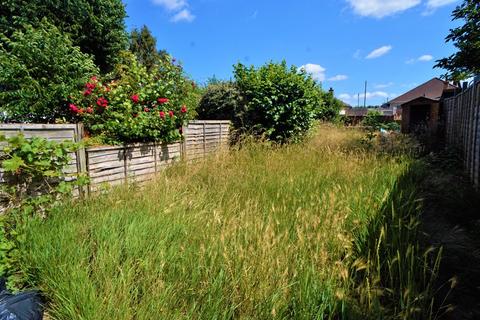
463	128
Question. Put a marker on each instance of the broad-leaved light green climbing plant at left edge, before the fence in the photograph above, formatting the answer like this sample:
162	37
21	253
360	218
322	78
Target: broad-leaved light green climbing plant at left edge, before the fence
34	180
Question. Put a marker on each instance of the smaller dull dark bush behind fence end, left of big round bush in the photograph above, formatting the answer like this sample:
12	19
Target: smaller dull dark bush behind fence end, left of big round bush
221	101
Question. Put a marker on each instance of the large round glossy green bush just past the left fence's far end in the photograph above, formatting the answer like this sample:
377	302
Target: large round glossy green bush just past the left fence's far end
279	102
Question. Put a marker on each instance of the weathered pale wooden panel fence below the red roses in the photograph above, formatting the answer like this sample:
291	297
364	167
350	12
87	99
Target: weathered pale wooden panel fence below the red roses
133	162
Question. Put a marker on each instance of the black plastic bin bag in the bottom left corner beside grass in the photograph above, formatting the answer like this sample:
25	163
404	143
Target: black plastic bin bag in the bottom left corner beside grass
21	306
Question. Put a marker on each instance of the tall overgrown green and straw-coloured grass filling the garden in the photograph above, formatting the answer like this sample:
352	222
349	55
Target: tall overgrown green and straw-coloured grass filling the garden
319	230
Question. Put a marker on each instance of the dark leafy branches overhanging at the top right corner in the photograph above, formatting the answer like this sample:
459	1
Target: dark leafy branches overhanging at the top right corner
466	38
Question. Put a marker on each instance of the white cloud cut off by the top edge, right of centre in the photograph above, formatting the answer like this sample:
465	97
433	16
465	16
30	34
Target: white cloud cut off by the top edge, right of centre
383	8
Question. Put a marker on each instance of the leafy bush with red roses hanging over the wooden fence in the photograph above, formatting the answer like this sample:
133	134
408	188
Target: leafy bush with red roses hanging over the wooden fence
136	105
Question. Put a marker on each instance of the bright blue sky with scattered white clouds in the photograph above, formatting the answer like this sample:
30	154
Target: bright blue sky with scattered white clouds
393	44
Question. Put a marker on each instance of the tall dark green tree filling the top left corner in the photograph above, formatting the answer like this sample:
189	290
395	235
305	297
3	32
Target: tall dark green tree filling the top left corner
96	26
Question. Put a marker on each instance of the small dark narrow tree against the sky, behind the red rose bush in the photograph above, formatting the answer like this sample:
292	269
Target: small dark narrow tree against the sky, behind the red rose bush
144	45
